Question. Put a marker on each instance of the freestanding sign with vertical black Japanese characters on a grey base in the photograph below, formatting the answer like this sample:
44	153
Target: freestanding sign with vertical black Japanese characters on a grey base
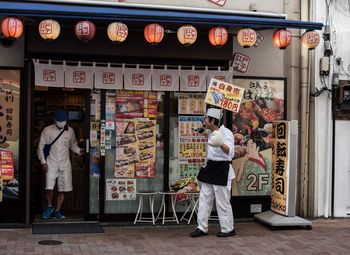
283	197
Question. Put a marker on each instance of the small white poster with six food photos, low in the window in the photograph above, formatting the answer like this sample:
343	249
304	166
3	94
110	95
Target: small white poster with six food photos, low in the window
120	189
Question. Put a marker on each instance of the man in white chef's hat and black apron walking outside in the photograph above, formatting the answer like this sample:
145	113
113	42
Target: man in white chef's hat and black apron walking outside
216	177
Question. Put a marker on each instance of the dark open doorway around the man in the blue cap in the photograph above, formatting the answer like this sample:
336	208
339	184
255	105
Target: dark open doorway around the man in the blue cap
76	103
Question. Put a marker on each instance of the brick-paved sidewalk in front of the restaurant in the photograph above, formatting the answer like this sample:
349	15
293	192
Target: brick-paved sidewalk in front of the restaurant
326	237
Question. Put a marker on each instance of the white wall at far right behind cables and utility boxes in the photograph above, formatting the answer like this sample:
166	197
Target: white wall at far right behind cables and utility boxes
339	19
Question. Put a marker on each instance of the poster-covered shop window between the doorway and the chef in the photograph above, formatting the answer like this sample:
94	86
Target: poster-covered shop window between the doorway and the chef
134	155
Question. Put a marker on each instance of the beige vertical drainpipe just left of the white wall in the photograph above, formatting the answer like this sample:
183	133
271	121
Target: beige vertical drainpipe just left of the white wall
304	119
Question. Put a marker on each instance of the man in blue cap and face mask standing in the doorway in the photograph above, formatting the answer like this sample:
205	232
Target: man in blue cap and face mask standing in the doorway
57	165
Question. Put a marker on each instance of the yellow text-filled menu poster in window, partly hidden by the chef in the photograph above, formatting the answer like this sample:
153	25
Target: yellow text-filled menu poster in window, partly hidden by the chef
192	146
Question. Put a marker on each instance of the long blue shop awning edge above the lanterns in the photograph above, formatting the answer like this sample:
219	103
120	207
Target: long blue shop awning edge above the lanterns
28	9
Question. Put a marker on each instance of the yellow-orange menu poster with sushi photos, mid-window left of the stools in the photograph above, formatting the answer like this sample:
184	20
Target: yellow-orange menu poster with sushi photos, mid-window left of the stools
135	148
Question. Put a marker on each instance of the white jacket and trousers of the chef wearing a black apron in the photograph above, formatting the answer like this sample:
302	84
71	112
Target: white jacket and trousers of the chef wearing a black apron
222	194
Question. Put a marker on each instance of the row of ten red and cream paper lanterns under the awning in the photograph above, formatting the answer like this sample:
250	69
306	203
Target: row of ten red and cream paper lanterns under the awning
49	29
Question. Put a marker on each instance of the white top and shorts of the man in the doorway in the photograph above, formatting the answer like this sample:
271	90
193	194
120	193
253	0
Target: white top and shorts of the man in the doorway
58	162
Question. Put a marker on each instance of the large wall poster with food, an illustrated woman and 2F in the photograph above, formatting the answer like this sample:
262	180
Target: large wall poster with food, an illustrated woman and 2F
263	102
